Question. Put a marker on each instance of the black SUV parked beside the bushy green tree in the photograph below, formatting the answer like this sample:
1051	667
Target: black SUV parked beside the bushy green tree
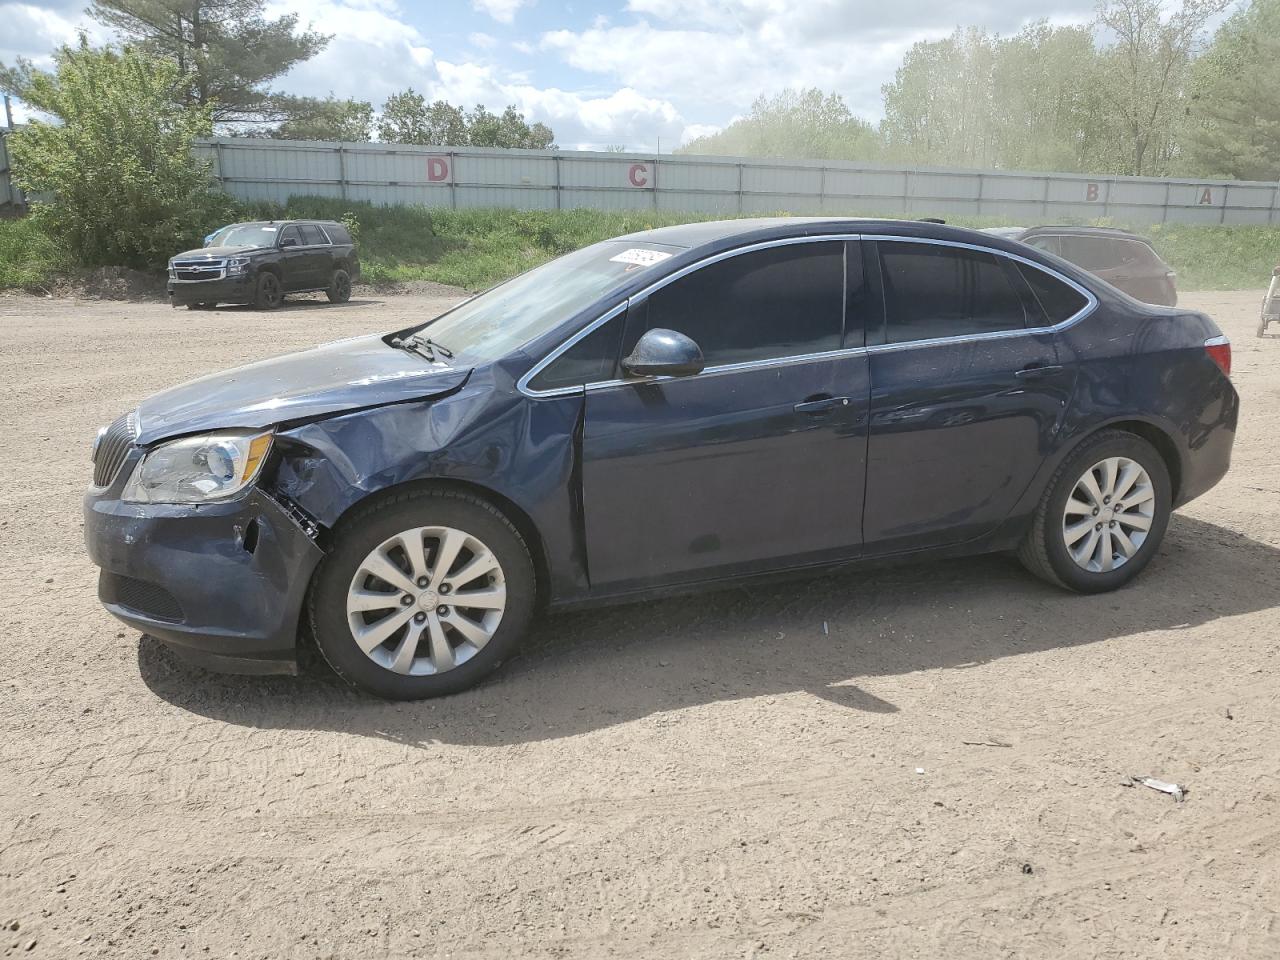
259	263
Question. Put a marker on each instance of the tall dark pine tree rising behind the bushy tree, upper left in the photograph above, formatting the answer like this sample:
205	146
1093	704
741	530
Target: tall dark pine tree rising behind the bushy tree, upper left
227	52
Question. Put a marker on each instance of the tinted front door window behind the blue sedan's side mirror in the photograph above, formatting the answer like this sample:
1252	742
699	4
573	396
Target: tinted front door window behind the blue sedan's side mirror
778	303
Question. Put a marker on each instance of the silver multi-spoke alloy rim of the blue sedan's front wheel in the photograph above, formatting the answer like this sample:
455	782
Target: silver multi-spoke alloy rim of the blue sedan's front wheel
427	601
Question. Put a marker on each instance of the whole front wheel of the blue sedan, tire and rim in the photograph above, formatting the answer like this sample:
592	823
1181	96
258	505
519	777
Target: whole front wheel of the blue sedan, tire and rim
428	519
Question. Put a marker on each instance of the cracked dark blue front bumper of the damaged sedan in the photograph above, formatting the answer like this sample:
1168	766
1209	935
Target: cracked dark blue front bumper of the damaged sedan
222	583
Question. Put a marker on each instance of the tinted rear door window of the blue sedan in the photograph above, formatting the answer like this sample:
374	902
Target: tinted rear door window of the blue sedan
934	291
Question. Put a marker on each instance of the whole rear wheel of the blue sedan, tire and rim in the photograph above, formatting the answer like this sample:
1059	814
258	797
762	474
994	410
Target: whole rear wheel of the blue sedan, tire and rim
1046	551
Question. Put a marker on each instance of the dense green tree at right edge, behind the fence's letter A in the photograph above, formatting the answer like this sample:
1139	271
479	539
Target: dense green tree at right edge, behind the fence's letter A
1236	98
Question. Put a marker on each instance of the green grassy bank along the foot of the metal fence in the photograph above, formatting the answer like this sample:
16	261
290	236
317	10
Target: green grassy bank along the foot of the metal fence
476	249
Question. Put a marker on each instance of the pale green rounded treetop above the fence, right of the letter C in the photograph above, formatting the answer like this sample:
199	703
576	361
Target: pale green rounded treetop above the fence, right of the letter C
797	124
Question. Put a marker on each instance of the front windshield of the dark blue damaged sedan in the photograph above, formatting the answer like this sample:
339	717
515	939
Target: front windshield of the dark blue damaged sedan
515	313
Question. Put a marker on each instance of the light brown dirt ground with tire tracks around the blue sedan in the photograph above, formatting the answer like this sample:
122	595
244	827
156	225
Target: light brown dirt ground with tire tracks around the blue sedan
793	771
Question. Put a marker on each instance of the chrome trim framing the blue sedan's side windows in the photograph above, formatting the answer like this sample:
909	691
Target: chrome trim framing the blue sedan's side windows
1090	307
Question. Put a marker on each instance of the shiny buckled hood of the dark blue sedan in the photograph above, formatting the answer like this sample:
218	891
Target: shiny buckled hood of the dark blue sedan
330	380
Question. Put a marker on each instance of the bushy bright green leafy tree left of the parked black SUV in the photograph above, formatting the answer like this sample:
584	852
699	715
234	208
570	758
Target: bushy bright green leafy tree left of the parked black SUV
122	184
